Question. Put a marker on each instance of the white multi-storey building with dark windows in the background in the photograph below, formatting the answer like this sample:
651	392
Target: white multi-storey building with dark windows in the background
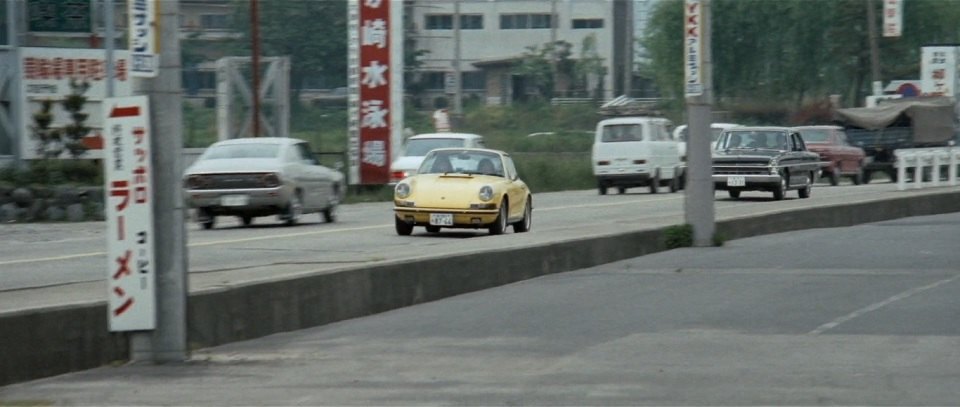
494	34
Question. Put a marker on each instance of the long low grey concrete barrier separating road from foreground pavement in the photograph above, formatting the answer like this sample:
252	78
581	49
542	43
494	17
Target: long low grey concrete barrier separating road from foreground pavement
44	342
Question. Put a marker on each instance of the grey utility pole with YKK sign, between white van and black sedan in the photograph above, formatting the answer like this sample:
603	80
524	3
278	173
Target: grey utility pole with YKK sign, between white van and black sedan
699	197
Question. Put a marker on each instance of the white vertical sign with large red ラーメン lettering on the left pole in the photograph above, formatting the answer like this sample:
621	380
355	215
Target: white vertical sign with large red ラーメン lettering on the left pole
129	209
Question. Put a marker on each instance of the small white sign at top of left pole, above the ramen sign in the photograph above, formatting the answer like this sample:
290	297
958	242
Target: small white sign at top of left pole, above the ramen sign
144	60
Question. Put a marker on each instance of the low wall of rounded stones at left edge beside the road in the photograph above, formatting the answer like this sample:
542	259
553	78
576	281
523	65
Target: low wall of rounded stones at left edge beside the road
51	203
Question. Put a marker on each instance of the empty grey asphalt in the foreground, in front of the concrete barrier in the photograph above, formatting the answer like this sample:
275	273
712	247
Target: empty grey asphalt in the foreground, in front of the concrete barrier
865	315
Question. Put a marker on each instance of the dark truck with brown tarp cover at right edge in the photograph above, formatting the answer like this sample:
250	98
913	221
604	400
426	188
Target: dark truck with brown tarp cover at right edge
897	124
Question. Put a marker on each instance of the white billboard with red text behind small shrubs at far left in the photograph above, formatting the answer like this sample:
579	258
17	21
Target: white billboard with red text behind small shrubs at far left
46	74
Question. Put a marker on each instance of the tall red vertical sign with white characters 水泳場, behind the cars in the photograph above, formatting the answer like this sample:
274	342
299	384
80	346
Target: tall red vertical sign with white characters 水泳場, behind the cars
376	85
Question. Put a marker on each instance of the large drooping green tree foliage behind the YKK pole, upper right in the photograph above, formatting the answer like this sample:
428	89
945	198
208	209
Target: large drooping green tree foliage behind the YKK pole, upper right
792	52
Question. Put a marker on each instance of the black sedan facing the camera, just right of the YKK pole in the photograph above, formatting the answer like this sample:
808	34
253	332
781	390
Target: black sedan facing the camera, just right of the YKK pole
773	159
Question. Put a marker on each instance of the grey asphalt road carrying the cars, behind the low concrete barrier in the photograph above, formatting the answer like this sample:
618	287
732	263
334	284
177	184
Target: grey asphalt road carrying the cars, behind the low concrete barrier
64	263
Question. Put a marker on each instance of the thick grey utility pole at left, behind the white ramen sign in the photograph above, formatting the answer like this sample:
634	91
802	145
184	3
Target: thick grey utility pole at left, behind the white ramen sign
168	342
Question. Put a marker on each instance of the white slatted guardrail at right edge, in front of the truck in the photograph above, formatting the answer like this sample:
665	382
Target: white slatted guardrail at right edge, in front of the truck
920	159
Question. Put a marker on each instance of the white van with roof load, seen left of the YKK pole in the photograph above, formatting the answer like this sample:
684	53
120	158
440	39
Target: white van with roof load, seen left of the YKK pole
636	152
